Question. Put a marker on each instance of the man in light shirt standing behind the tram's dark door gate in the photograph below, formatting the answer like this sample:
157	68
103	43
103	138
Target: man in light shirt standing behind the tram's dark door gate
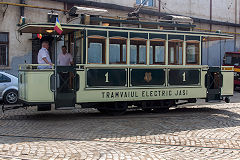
64	58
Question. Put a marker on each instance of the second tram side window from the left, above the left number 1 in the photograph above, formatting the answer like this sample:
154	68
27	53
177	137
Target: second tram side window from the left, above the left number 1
117	51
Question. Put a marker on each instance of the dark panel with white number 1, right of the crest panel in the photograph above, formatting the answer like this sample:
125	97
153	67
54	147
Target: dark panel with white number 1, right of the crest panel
184	77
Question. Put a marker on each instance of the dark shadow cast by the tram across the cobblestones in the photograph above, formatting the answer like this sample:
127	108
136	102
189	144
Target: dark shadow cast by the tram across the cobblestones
87	126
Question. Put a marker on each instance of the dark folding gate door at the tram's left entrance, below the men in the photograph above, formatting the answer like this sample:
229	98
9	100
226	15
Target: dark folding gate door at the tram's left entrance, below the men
65	96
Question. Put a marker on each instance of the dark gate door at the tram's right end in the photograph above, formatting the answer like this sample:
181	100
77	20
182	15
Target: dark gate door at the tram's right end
214	81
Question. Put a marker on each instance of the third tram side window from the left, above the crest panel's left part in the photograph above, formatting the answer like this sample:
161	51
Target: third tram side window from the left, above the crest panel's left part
138	52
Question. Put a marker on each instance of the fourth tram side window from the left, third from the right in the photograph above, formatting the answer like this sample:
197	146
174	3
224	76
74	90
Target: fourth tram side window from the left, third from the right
157	52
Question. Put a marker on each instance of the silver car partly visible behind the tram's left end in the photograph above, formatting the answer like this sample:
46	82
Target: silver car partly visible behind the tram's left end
8	88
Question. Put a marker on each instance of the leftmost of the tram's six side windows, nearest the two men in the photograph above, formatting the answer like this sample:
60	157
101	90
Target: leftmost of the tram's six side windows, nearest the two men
96	50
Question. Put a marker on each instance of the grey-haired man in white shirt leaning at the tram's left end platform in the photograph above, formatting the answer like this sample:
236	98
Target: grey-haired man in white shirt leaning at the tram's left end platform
43	56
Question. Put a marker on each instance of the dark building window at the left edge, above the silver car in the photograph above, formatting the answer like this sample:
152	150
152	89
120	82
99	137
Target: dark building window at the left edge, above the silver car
4	47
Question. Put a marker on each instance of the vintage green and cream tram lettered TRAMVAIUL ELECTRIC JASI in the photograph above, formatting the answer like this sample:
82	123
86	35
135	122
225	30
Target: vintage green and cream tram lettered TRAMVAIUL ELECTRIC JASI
117	67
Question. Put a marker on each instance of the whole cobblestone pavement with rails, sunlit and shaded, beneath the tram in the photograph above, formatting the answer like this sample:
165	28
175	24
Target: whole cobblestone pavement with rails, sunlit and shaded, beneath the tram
201	131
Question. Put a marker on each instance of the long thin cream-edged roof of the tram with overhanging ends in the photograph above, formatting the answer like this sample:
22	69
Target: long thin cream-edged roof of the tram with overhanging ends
44	28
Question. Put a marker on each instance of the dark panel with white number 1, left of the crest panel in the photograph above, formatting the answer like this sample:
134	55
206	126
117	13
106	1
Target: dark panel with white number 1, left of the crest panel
106	77
